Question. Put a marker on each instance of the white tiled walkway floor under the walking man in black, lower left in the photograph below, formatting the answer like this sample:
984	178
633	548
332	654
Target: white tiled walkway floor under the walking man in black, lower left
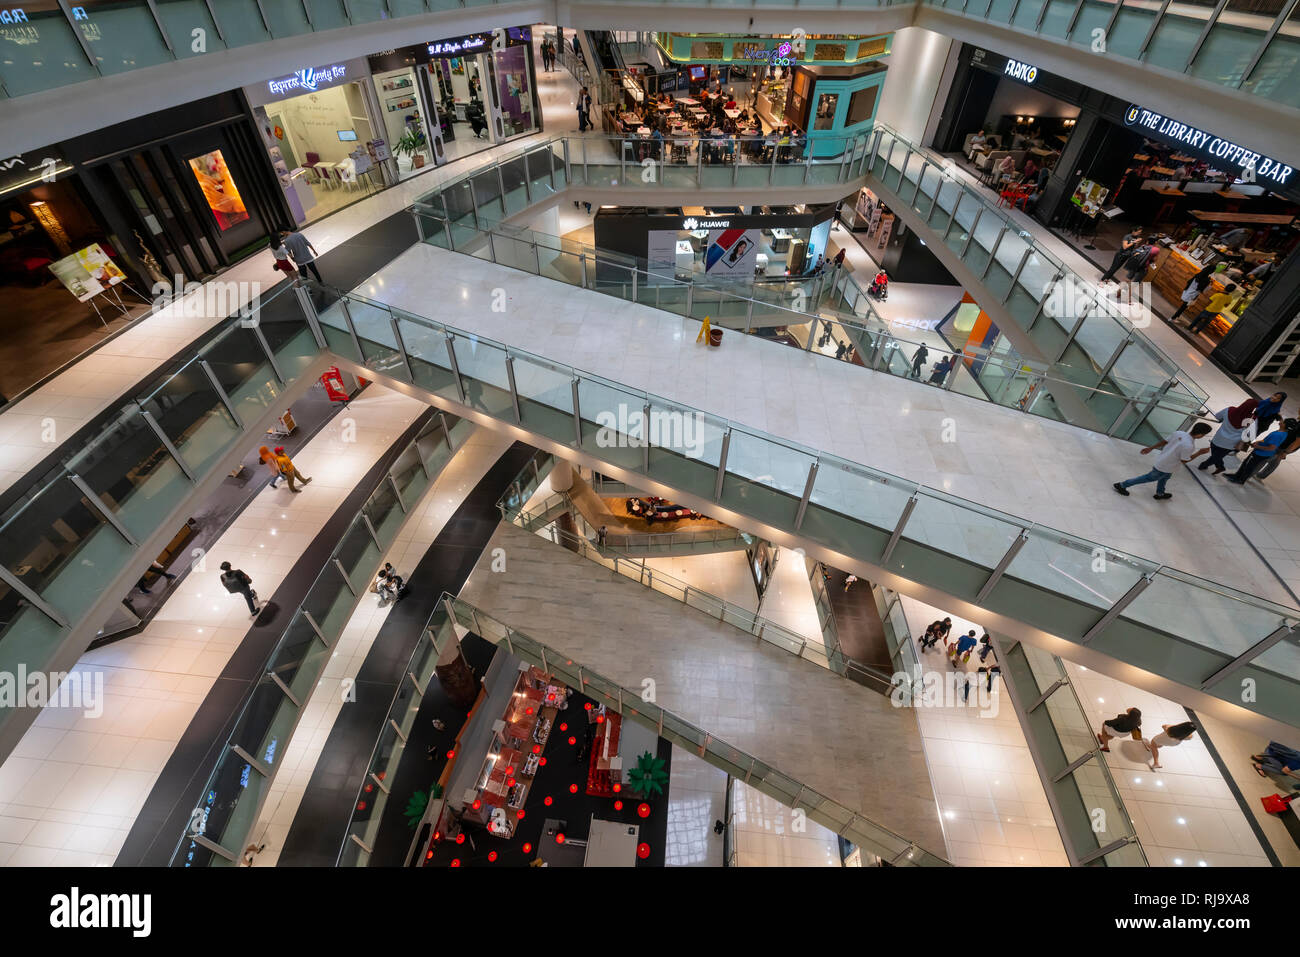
75	785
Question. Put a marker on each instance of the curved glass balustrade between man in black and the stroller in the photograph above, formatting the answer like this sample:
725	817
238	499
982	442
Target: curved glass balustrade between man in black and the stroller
239	785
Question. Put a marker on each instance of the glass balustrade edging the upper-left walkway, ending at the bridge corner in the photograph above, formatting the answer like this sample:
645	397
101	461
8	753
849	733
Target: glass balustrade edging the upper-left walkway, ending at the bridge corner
68	538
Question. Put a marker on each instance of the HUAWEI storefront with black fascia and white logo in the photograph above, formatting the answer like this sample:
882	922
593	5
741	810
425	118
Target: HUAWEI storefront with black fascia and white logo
731	245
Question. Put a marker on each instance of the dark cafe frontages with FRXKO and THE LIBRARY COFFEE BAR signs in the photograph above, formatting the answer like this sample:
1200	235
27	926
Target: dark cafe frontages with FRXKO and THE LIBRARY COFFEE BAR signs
1147	198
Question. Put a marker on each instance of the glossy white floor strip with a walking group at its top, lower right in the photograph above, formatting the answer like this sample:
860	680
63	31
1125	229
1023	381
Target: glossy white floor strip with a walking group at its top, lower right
991	798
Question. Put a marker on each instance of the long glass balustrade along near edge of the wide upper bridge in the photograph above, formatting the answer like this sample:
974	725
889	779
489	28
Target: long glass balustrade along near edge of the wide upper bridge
1136	610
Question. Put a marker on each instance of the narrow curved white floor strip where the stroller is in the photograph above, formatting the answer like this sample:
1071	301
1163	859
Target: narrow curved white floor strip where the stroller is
439	504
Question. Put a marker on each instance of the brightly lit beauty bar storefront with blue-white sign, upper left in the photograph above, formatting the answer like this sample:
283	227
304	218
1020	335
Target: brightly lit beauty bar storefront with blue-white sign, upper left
320	131
